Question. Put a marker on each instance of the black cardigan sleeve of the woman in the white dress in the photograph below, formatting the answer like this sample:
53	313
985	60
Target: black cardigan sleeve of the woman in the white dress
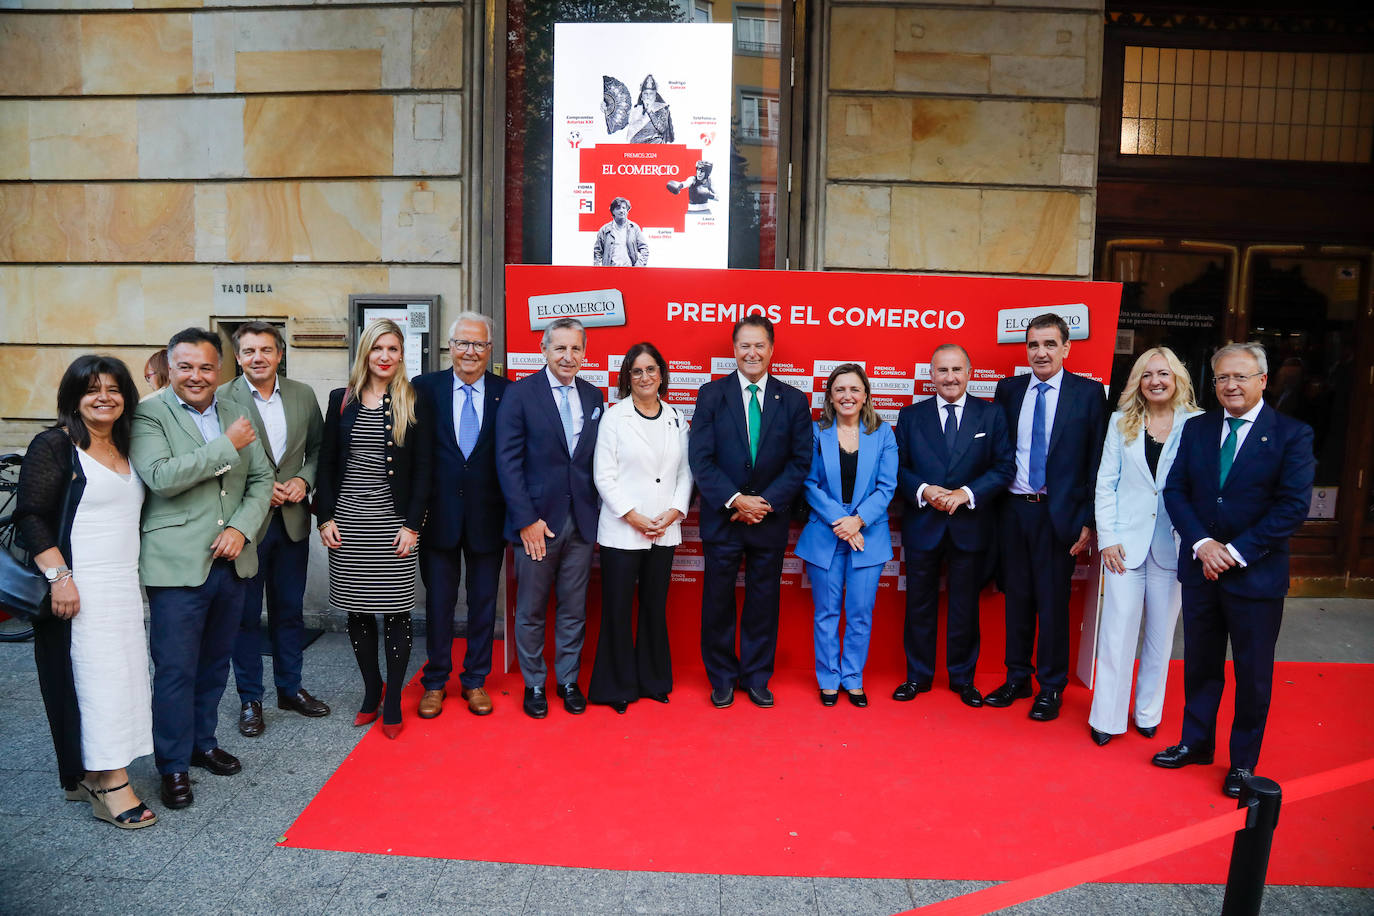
49	465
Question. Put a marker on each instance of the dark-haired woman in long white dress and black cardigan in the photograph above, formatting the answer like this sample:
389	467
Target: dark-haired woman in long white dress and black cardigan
78	512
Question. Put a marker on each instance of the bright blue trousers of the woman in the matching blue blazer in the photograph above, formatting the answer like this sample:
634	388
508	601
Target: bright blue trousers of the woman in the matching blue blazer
851	587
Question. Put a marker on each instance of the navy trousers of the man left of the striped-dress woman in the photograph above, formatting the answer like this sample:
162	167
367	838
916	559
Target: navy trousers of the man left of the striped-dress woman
282	573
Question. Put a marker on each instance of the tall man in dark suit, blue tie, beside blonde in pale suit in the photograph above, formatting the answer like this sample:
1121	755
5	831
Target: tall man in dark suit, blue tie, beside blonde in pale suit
1057	422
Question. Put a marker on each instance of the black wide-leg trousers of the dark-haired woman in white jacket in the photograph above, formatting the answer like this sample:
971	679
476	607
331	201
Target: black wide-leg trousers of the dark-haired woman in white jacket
630	667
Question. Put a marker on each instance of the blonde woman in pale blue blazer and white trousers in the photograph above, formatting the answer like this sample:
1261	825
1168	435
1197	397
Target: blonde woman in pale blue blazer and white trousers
1138	546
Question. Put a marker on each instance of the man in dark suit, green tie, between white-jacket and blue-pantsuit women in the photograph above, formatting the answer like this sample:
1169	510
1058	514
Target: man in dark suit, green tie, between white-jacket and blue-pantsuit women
750	451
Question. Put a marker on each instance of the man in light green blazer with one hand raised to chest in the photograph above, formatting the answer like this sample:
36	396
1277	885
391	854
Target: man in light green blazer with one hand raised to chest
210	491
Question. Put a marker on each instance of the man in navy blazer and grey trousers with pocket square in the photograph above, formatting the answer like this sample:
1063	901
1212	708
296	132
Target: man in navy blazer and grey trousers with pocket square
546	436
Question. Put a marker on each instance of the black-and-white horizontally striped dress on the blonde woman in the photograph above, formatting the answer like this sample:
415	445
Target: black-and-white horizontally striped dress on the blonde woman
366	575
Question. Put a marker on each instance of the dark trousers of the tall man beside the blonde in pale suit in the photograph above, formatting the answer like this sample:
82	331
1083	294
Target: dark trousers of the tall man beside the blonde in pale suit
1037	572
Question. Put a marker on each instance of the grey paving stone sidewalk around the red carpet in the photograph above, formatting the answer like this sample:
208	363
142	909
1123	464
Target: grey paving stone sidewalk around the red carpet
221	858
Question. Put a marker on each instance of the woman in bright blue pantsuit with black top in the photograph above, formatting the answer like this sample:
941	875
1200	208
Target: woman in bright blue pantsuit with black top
854	474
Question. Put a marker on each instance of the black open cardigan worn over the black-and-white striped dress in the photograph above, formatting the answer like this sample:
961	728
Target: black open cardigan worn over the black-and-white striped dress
407	466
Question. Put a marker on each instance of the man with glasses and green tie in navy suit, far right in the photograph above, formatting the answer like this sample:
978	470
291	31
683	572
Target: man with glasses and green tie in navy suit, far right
1240	488
